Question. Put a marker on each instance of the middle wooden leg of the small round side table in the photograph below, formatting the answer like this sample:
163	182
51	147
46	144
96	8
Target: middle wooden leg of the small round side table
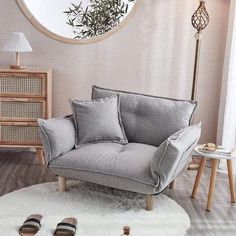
212	183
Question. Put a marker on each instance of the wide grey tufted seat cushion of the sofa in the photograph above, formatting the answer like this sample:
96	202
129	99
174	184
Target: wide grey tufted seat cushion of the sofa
130	161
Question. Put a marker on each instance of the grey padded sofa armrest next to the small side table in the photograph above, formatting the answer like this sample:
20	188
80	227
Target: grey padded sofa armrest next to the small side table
173	155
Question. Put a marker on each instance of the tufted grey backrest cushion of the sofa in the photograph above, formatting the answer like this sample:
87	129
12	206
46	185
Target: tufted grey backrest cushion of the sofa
149	119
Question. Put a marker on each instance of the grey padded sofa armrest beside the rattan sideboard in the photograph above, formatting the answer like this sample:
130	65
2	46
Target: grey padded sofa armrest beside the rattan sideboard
57	135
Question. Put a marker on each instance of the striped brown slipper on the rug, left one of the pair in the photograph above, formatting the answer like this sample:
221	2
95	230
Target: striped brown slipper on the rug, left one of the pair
31	225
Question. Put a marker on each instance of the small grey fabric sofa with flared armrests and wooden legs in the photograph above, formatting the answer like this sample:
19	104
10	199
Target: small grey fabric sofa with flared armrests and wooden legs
160	143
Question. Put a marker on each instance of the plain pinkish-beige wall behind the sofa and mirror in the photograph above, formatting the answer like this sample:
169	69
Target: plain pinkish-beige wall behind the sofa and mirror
153	54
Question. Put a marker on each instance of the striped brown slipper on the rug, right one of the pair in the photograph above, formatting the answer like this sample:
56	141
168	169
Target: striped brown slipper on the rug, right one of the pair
66	227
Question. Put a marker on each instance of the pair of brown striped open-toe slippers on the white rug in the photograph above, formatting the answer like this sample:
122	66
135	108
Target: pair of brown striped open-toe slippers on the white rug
32	225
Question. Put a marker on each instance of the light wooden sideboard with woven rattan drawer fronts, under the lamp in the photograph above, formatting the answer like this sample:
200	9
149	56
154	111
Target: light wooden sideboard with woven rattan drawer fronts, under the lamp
25	96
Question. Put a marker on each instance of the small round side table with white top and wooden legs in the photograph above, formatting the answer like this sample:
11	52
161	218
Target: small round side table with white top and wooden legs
214	162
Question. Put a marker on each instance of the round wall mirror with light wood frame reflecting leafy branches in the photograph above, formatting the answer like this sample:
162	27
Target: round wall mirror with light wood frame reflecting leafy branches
78	21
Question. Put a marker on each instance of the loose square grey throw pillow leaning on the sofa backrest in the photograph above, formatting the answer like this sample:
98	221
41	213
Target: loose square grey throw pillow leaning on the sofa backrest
98	121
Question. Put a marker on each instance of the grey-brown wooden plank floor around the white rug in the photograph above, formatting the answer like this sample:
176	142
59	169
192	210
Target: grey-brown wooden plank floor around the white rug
19	169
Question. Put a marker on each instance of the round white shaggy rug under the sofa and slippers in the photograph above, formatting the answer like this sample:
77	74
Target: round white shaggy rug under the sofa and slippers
100	211
